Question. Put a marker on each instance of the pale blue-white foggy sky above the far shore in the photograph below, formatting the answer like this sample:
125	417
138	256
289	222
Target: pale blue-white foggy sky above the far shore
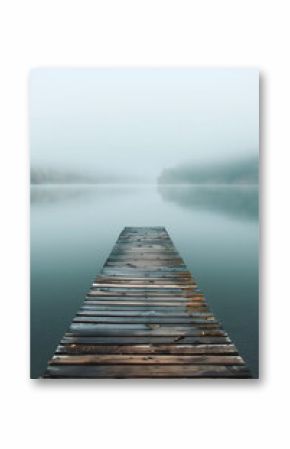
139	121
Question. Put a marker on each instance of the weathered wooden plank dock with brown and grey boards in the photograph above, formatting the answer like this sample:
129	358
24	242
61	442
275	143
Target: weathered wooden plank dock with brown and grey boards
145	318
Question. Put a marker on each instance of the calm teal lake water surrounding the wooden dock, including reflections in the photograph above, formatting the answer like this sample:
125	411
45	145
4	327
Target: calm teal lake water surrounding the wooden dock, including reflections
73	229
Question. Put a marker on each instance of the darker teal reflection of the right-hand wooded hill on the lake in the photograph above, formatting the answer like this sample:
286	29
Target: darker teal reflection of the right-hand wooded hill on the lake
240	202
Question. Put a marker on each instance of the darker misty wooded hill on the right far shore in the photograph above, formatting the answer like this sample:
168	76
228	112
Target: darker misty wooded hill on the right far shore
243	171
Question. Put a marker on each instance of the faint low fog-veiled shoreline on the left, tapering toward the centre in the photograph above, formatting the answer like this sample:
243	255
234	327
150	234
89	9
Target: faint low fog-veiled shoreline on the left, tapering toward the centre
39	175
